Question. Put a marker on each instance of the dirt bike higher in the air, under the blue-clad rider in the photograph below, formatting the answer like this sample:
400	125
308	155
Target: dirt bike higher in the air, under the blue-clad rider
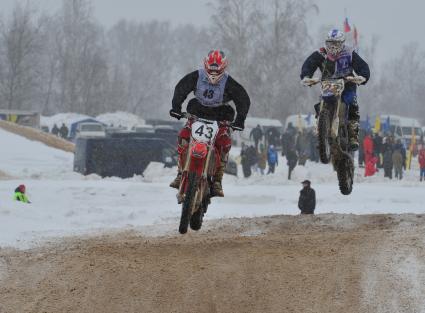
332	129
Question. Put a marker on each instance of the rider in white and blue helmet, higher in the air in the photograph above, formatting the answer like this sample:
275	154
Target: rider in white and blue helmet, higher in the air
336	60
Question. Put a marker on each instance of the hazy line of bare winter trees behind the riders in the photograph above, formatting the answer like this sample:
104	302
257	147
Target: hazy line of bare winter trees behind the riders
68	62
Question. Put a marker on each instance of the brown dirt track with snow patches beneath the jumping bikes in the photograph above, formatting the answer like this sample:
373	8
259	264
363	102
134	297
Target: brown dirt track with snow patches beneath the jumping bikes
329	263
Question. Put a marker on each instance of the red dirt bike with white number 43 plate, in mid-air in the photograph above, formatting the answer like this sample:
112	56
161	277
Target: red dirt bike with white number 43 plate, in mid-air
202	160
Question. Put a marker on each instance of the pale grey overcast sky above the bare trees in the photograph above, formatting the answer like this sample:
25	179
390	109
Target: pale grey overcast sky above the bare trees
396	22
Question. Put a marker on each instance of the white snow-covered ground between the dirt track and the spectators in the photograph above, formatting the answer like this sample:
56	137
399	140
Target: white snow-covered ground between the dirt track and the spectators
66	203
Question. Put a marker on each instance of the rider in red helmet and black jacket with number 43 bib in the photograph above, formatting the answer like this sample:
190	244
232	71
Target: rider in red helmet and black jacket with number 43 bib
213	89
